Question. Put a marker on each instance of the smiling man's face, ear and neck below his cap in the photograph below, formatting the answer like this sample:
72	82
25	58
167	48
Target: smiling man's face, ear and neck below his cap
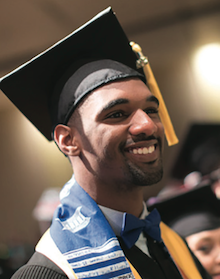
115	142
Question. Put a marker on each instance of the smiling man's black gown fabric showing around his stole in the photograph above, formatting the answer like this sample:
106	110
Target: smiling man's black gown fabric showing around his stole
40	267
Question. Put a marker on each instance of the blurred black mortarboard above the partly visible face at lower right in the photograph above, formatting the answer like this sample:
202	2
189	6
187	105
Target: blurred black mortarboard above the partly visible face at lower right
189	212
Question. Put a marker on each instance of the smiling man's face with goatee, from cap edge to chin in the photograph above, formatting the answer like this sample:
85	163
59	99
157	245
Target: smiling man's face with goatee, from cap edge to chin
121	134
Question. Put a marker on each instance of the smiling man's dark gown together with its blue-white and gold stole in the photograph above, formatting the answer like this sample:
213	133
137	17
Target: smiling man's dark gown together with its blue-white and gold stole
50	262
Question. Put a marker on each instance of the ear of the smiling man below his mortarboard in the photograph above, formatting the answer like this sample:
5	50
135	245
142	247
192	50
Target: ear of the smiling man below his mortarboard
66	139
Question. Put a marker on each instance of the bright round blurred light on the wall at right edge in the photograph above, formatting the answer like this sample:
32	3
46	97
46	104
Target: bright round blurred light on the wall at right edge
207	64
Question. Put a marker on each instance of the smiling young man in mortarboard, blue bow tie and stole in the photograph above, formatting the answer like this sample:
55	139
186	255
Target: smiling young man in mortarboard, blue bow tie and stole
105	119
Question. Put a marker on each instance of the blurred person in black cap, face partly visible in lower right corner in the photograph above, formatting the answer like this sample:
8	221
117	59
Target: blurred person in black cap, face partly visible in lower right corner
195	215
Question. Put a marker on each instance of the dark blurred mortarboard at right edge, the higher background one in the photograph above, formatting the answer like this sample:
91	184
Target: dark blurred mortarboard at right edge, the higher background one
199	152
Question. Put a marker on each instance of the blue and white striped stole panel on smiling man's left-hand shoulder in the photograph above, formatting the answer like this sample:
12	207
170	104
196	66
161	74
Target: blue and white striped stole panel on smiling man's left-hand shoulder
80	240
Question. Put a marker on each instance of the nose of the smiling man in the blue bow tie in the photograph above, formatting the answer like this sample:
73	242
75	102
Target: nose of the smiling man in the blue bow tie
141	123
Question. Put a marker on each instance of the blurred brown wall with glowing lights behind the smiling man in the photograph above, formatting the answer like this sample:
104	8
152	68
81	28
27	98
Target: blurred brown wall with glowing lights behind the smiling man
170	32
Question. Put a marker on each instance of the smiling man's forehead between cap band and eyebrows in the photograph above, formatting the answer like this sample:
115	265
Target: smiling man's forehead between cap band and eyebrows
133	90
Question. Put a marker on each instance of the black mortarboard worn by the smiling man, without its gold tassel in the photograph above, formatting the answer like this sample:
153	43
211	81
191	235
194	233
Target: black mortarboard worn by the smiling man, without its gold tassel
37	83
